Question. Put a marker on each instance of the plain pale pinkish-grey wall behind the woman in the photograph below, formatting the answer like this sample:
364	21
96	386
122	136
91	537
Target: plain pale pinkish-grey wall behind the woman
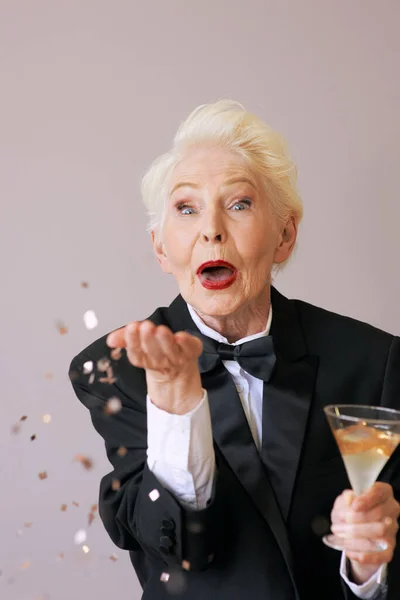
91	92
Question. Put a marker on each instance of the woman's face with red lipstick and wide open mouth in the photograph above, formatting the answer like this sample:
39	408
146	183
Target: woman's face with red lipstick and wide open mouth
219	238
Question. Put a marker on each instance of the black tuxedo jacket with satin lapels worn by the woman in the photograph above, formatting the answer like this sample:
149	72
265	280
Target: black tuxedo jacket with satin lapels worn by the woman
260	535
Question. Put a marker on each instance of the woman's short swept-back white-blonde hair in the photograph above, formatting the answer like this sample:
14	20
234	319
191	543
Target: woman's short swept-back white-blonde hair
226	123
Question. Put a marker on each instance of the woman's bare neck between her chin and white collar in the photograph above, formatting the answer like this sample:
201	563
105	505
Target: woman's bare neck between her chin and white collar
249	320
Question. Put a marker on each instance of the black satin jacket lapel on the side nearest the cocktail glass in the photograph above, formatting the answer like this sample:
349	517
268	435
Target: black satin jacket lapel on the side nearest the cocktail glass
286	401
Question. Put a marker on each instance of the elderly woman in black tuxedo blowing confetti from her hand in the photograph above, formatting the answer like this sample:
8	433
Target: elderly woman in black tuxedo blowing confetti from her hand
225	472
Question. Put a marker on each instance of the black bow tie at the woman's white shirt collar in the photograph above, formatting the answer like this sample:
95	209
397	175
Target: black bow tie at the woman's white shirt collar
256	357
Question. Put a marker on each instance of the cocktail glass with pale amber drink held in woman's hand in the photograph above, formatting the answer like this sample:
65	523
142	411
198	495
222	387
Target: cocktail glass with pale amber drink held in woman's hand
366	437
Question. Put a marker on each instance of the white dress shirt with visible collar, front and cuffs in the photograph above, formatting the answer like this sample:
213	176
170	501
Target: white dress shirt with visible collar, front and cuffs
180	449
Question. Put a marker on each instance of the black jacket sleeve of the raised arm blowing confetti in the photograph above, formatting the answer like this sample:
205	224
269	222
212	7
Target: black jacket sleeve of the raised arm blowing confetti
136	510
